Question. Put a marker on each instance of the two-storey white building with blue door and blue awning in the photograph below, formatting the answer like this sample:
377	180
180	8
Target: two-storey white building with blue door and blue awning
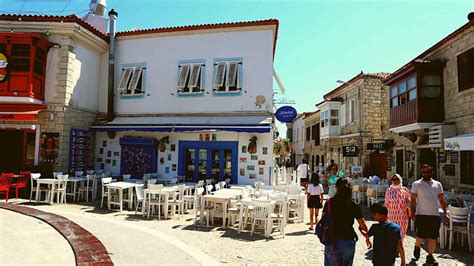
207	89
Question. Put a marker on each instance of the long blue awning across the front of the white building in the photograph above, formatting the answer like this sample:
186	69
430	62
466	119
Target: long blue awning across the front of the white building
249	124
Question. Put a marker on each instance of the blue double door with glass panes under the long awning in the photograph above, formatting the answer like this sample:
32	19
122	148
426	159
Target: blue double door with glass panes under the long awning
215	160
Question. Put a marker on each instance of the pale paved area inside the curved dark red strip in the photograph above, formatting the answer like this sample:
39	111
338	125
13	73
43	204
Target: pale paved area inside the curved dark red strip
27	240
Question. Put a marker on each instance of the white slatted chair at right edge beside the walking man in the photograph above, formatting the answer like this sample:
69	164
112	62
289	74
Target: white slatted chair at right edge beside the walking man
459	222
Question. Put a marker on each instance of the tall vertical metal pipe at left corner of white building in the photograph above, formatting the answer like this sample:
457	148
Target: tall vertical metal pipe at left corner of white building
110	90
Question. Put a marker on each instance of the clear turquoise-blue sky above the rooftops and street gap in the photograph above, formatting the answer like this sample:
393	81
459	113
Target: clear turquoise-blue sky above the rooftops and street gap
319	42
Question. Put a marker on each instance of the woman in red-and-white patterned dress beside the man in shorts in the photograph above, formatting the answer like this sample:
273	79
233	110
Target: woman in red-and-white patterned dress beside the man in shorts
397	200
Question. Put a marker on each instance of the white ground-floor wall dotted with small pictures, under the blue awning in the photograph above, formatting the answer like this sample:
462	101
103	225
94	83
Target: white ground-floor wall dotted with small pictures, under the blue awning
264	140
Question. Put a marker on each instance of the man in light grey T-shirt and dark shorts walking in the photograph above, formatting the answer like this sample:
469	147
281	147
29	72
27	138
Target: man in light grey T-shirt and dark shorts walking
426	193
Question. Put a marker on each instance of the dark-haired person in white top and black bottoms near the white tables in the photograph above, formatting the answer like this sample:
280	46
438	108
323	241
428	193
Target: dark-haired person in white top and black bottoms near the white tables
315	194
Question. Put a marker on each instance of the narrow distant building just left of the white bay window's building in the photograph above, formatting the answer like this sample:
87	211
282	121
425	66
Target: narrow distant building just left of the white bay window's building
312	145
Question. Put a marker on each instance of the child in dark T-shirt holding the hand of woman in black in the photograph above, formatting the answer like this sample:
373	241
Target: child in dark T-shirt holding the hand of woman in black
387	237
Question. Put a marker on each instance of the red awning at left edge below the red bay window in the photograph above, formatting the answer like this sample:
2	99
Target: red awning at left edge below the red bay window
20	112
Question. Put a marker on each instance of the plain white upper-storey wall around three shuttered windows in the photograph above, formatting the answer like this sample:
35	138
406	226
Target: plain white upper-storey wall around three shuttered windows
161	56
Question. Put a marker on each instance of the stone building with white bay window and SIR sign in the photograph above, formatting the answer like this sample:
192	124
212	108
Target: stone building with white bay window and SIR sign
354	124
